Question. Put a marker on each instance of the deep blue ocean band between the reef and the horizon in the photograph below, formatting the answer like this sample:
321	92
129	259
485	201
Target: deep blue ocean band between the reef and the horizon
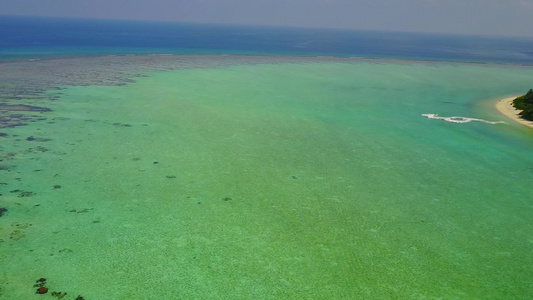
24	38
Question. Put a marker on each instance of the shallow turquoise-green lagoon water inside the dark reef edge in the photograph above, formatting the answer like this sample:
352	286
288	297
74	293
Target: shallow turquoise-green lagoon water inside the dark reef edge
317	180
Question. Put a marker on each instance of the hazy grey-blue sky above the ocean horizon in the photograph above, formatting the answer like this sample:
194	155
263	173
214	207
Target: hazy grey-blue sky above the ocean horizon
485	17
